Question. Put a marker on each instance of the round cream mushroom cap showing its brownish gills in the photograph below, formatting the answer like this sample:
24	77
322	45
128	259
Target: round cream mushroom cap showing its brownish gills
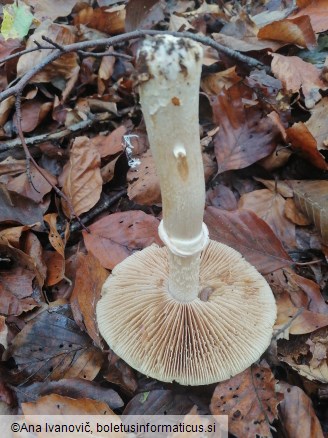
215	336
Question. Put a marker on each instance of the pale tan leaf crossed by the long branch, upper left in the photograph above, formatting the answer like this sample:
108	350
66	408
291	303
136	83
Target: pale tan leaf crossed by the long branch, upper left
62	68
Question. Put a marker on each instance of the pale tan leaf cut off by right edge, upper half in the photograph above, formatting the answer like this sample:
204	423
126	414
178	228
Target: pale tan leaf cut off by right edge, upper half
317	123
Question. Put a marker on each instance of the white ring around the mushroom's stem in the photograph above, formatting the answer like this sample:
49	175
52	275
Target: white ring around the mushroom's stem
184	248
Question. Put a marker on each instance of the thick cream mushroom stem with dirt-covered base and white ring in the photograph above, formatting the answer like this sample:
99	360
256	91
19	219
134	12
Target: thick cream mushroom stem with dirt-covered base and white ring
169	74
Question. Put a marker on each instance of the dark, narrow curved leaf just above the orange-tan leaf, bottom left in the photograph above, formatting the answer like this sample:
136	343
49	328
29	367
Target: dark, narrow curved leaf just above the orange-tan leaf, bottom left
73	388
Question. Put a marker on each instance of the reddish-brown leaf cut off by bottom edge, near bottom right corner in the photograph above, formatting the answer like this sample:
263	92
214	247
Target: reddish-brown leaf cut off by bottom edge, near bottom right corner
297	414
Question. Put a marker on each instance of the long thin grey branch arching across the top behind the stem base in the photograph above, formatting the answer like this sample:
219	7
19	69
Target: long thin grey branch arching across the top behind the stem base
18	88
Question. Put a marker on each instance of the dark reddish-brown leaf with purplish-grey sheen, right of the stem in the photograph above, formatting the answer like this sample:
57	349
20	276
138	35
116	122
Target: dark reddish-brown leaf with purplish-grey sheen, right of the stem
245	135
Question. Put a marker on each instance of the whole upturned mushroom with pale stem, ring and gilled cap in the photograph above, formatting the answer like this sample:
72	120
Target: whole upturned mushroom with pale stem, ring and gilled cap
193	311
